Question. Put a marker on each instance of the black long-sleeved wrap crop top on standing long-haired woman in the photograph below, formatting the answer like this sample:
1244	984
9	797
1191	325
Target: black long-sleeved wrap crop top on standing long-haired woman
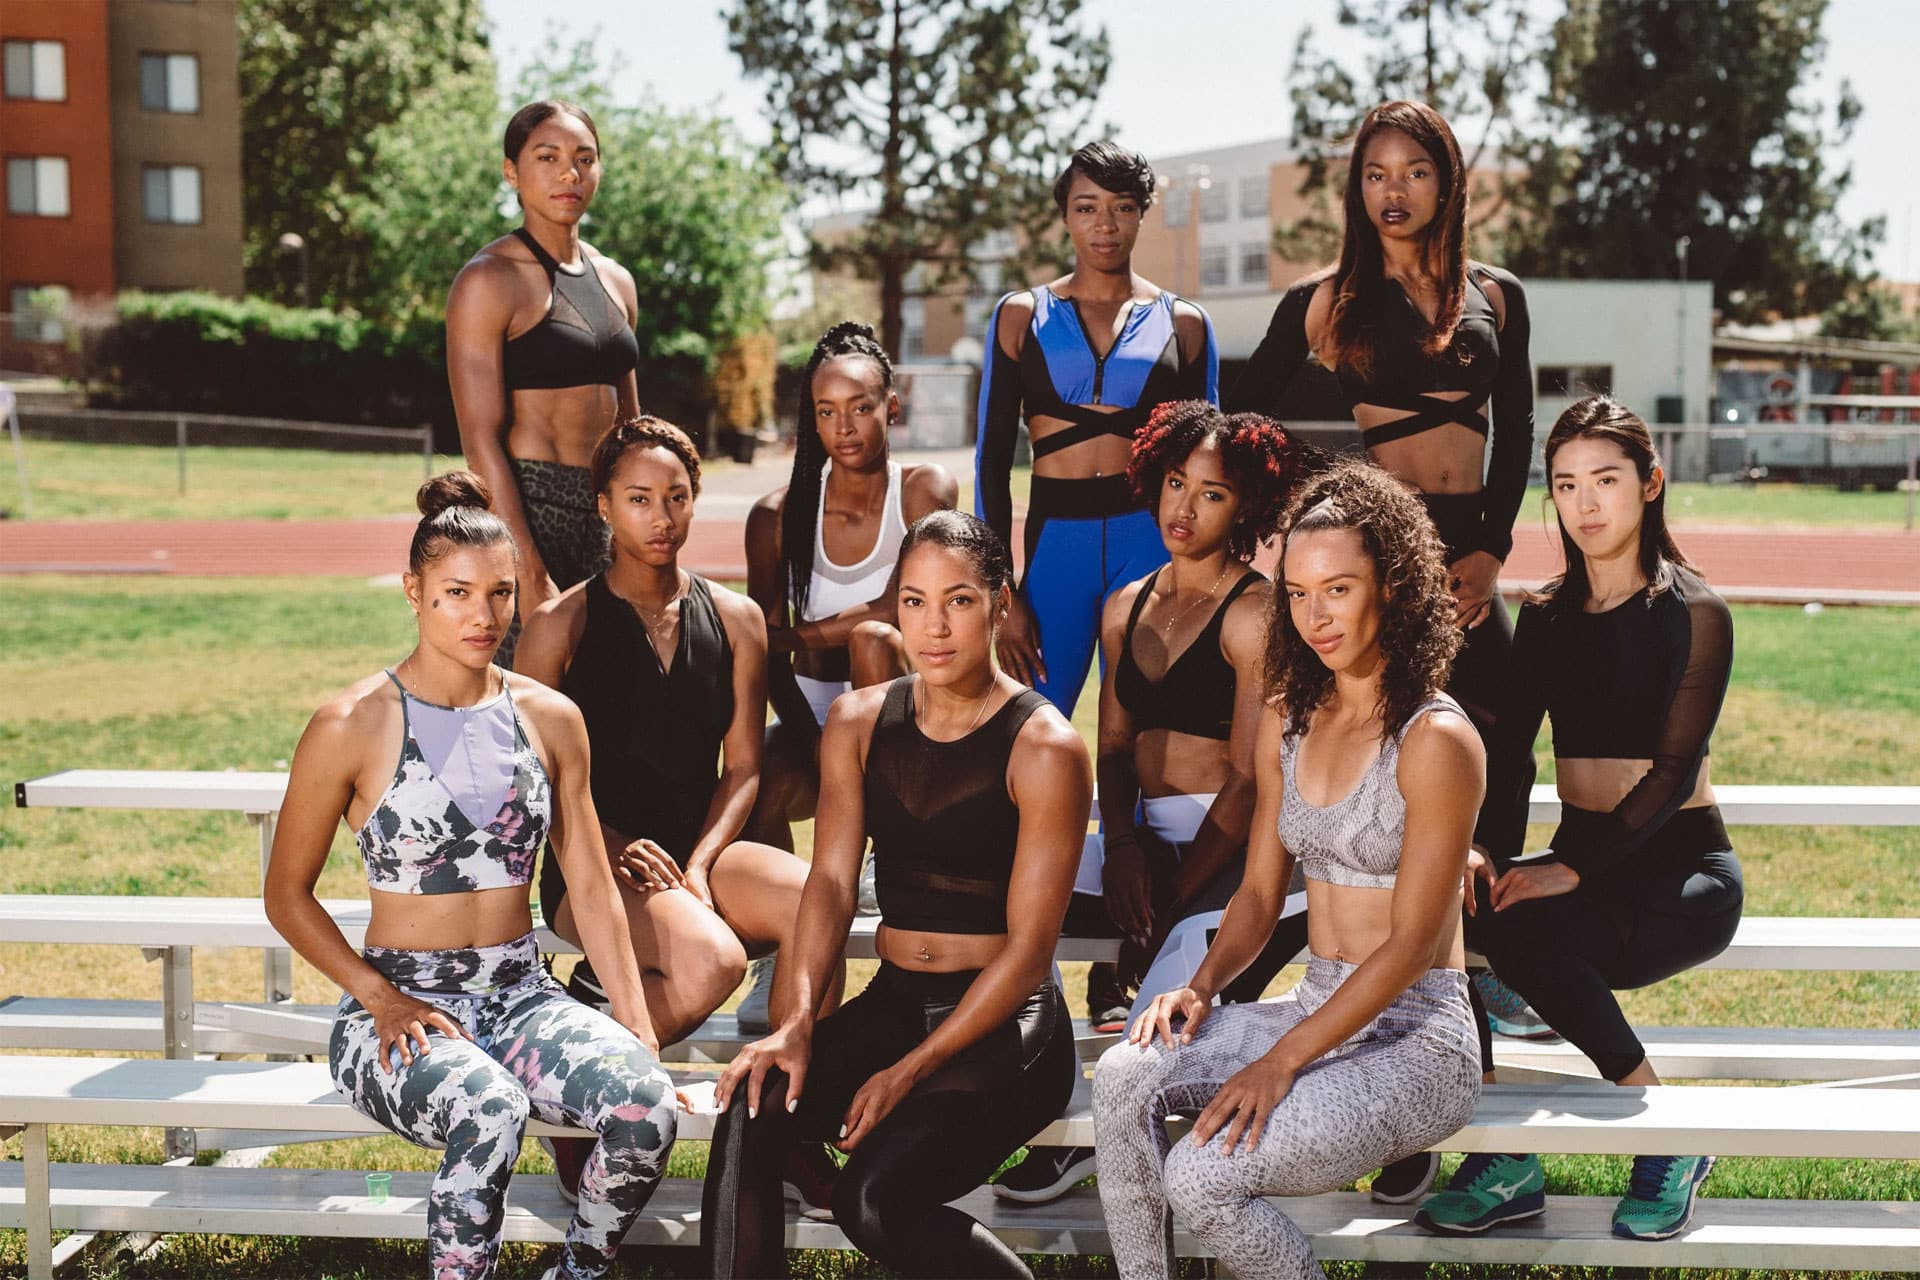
1485	360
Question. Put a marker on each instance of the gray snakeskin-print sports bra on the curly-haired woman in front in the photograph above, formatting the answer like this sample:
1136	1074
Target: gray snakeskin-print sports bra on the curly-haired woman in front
1356	840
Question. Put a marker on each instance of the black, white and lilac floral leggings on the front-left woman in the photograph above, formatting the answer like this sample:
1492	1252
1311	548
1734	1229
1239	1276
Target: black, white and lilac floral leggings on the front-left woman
535	1051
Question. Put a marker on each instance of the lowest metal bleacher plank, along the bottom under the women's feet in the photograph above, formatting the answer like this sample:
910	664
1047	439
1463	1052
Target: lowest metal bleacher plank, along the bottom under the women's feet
241	1202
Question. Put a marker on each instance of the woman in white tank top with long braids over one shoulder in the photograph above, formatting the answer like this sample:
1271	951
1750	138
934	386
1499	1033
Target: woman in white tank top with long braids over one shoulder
821	559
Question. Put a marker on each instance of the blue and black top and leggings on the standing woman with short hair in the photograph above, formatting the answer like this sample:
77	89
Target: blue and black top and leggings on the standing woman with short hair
1084	538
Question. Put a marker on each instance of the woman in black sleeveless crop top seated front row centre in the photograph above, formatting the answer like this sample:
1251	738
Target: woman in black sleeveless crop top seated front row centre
976	795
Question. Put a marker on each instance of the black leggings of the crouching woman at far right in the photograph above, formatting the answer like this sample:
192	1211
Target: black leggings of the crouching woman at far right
1671	909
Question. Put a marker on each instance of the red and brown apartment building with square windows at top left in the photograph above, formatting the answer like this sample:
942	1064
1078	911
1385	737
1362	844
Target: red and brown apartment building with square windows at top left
122	135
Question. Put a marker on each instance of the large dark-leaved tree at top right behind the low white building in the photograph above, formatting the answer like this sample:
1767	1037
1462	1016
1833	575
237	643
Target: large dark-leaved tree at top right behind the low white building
1683	124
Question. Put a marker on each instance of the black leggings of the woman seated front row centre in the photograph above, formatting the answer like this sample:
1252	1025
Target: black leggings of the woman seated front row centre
944	1141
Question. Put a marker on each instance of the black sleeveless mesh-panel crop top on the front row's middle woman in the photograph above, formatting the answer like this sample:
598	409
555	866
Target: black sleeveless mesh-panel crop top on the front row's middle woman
942	820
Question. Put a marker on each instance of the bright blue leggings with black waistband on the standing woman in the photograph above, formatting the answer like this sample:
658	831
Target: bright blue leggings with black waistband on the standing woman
1086	540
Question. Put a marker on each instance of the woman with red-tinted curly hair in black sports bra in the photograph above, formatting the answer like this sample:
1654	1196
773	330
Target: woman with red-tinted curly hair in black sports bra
1180	709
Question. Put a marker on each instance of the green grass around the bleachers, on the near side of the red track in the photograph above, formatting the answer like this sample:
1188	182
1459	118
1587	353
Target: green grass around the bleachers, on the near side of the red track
210	675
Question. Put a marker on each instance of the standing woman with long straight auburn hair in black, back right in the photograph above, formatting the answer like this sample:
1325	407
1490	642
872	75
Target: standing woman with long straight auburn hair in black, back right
1422	339
